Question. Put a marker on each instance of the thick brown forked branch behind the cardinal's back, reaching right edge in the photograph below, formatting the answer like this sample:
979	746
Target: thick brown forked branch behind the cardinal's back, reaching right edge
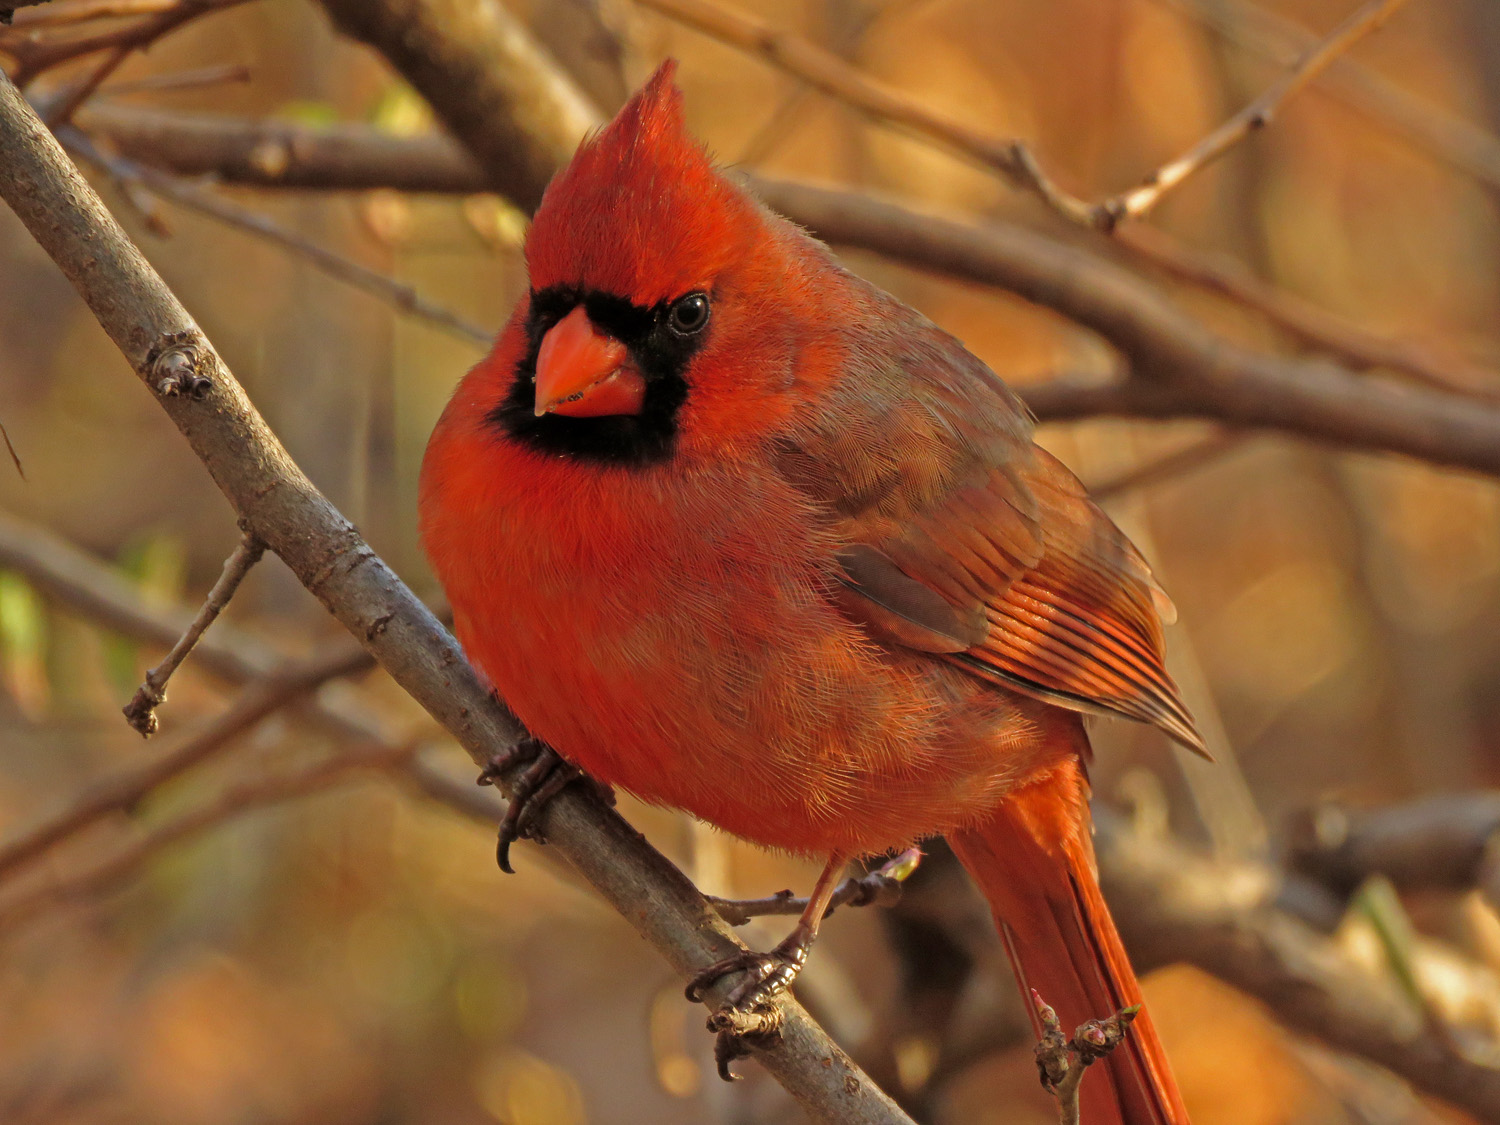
1178	367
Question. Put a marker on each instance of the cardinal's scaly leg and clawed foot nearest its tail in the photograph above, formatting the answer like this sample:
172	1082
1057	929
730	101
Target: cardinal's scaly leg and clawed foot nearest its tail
748	1013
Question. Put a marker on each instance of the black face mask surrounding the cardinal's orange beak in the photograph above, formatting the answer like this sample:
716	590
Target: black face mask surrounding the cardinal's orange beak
659	353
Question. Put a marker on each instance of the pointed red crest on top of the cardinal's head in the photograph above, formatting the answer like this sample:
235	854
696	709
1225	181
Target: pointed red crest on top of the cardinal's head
640	212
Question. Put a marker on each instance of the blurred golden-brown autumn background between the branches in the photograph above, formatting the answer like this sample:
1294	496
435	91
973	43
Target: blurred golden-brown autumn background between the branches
353	955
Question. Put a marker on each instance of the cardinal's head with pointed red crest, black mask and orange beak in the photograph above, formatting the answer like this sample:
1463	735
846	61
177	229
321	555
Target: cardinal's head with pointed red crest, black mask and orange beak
653	292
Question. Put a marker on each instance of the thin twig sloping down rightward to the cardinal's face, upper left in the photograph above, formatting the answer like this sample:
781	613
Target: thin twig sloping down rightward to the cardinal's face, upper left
337	266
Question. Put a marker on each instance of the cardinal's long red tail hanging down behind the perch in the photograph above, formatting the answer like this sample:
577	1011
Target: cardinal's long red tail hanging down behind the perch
1034	863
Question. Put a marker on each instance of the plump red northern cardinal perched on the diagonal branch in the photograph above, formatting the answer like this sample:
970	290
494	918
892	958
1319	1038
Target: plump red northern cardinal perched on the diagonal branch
740	533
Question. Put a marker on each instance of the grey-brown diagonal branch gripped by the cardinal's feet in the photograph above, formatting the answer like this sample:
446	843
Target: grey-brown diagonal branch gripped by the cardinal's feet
277	502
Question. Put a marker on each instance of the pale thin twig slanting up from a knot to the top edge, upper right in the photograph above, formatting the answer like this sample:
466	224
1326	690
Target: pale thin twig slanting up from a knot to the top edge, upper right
1138	202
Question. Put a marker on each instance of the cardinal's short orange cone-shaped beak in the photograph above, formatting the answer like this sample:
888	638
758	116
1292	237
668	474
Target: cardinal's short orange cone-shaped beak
586	374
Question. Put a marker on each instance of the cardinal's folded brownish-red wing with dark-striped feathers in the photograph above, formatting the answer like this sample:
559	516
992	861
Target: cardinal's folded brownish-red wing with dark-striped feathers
967	541
